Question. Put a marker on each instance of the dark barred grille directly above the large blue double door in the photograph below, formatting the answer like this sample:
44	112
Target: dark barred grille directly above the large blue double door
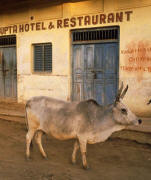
94	35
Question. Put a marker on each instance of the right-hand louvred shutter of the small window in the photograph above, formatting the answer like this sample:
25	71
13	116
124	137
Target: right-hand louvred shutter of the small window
48	57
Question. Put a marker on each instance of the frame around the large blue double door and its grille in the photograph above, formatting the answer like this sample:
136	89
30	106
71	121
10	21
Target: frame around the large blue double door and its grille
91	42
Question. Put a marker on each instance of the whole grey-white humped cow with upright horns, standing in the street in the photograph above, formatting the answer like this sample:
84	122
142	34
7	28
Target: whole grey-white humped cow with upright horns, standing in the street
85	121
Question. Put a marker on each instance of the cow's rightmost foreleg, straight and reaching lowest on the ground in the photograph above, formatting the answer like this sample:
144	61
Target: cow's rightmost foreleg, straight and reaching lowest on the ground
83	144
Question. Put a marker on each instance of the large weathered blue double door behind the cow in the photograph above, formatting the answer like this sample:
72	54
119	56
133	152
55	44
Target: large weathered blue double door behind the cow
95	72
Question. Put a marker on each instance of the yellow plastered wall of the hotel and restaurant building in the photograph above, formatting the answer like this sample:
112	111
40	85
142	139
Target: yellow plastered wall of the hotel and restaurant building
134	34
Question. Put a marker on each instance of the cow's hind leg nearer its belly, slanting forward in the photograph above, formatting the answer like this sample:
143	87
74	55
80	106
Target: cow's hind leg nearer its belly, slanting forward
38	137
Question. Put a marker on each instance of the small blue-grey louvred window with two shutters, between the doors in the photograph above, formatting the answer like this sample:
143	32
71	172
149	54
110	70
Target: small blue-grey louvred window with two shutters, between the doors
43	57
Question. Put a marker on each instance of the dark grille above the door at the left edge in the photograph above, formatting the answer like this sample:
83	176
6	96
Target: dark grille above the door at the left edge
7	40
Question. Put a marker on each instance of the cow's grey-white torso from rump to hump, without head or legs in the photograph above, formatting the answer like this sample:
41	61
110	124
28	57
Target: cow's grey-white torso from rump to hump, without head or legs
62	119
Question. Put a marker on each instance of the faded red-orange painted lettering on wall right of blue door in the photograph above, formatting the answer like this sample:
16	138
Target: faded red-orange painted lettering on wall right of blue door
137	58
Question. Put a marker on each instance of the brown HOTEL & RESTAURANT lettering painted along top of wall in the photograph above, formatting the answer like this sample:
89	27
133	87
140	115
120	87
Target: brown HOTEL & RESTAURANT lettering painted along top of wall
68	22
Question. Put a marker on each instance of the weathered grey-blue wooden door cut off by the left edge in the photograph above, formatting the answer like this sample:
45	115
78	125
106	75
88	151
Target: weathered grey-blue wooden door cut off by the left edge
8	72
